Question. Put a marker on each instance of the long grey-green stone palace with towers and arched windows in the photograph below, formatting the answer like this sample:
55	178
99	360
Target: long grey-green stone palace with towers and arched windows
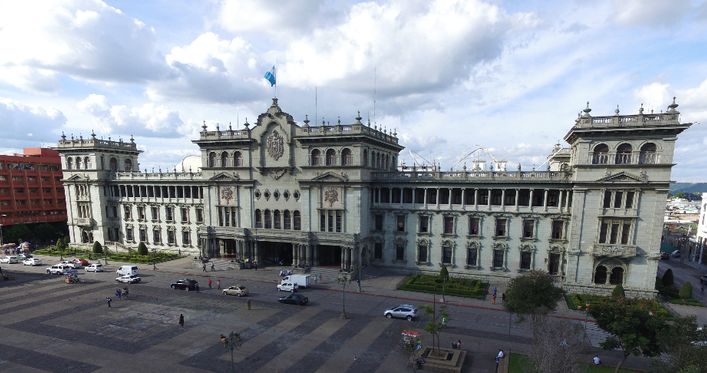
334	195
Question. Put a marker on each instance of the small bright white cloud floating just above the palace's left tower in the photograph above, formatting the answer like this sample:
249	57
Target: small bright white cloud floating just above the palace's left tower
150	119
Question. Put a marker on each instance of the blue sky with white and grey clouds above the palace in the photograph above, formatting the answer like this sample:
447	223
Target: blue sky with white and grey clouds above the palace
449	77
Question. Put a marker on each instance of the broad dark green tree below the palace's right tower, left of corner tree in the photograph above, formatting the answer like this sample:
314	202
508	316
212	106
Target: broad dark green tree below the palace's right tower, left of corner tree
633	324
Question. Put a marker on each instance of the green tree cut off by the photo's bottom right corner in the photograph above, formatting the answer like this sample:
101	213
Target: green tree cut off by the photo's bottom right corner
680	354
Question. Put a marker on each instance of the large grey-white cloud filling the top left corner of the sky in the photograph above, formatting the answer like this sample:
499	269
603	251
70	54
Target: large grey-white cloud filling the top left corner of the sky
83	38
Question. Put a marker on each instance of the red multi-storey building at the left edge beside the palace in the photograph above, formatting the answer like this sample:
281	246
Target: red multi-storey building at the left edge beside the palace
30	188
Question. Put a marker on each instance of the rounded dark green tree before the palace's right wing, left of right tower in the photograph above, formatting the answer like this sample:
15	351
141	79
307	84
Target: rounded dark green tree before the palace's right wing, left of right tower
532	294
